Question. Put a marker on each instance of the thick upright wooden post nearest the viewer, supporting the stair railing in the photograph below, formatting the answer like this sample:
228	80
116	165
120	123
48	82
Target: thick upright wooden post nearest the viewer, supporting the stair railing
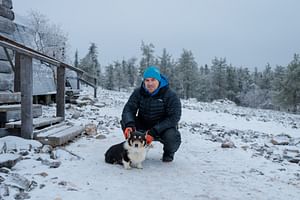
26	96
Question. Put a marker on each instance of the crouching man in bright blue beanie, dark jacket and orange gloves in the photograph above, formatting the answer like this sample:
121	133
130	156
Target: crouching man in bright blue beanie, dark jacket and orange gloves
154	108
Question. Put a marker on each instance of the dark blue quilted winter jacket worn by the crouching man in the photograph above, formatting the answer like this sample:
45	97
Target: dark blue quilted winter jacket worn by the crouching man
158	111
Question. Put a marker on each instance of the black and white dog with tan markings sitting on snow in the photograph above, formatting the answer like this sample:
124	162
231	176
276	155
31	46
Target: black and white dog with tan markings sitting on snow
130	153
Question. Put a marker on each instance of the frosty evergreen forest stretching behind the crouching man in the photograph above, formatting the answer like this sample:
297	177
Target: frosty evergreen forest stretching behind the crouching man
273	87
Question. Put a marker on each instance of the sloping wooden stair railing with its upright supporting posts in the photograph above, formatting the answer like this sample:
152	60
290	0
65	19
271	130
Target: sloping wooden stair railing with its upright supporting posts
23	81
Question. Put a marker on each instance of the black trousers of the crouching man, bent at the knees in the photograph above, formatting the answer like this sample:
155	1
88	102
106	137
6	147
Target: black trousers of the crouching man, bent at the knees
170	138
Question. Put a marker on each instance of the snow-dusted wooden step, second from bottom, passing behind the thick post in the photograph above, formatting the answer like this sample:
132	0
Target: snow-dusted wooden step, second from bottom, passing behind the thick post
37	122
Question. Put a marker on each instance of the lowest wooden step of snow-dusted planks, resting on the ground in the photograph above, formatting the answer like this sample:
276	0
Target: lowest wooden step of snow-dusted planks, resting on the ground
59	134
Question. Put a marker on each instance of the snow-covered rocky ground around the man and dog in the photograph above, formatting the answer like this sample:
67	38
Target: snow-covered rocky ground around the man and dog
261	163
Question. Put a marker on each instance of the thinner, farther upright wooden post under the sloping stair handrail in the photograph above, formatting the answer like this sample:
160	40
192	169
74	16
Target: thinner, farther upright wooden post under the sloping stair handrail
60	92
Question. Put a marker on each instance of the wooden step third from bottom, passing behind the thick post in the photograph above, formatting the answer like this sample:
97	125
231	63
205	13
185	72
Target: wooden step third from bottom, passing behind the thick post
13	112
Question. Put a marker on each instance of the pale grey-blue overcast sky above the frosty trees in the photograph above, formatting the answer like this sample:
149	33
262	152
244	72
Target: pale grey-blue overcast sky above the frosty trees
249	33
